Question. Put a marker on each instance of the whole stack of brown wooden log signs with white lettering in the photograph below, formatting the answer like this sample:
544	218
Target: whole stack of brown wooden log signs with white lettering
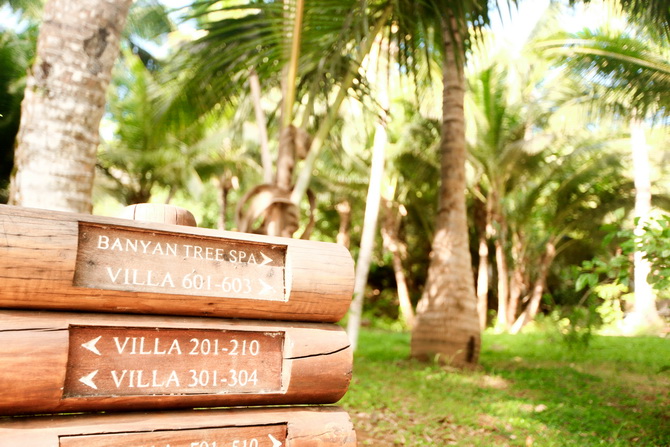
229	320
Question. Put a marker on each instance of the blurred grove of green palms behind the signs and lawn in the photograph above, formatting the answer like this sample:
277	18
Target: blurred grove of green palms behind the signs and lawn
211	107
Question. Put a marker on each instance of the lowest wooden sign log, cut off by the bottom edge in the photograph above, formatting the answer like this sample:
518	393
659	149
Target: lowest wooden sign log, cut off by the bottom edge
289	427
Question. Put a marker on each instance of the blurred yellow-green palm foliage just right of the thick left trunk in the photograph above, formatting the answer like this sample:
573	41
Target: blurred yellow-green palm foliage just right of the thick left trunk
143	151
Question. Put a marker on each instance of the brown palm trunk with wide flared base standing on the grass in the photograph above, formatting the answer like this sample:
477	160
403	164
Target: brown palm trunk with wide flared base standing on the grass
447	325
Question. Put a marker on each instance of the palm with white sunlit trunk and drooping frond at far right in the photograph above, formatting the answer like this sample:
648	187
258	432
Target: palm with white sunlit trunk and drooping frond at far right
627	72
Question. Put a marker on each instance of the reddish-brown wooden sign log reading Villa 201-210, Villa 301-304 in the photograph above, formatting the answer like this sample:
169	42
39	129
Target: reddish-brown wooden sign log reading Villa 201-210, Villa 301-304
66	362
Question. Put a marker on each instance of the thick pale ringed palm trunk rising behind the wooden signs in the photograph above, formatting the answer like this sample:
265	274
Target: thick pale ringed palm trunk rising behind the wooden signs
64	103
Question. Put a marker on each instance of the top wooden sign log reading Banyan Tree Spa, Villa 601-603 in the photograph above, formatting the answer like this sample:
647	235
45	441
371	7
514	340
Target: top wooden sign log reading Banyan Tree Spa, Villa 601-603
65	261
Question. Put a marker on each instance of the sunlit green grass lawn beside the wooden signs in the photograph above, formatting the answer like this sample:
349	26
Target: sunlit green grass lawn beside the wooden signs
530	390
